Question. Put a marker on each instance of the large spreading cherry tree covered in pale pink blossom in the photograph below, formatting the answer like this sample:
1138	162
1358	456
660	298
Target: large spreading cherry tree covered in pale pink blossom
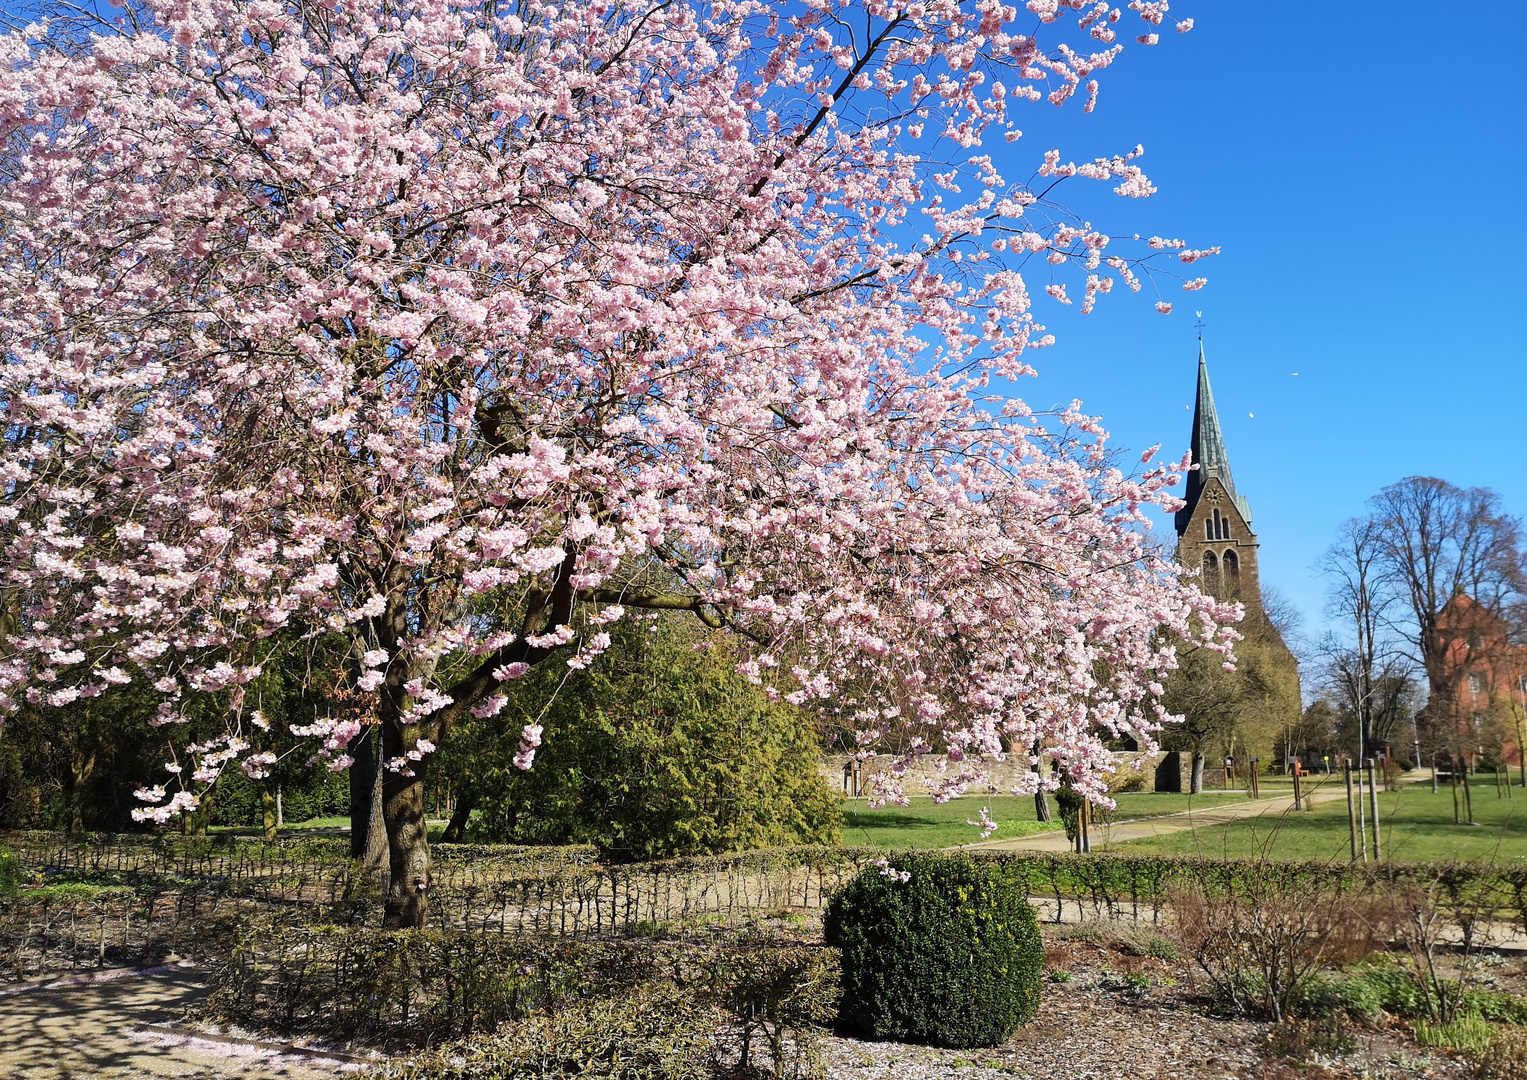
450	332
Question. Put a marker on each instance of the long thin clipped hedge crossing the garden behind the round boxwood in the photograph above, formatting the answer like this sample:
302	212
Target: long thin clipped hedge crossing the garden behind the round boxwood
578	894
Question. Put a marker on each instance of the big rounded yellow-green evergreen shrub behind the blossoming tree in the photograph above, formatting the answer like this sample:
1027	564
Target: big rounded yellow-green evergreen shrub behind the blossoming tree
657	749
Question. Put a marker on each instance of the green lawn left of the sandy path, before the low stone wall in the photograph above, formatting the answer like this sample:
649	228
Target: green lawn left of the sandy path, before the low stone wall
926	824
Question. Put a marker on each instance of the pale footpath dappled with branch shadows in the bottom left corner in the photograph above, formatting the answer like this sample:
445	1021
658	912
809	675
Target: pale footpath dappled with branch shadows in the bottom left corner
89	1027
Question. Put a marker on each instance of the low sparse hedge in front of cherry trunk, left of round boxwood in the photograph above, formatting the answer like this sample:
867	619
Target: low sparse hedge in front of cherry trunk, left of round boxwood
421	988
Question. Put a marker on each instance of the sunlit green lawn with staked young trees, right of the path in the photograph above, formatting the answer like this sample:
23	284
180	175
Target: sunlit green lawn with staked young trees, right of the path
1418	827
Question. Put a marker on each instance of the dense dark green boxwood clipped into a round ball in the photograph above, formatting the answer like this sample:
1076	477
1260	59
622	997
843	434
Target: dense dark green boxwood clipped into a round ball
937	949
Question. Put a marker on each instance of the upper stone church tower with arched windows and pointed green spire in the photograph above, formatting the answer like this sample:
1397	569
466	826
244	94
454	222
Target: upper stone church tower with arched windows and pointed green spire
1215	532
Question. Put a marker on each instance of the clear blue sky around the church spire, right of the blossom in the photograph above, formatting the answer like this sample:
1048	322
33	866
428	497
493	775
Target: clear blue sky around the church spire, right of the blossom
1364	169
